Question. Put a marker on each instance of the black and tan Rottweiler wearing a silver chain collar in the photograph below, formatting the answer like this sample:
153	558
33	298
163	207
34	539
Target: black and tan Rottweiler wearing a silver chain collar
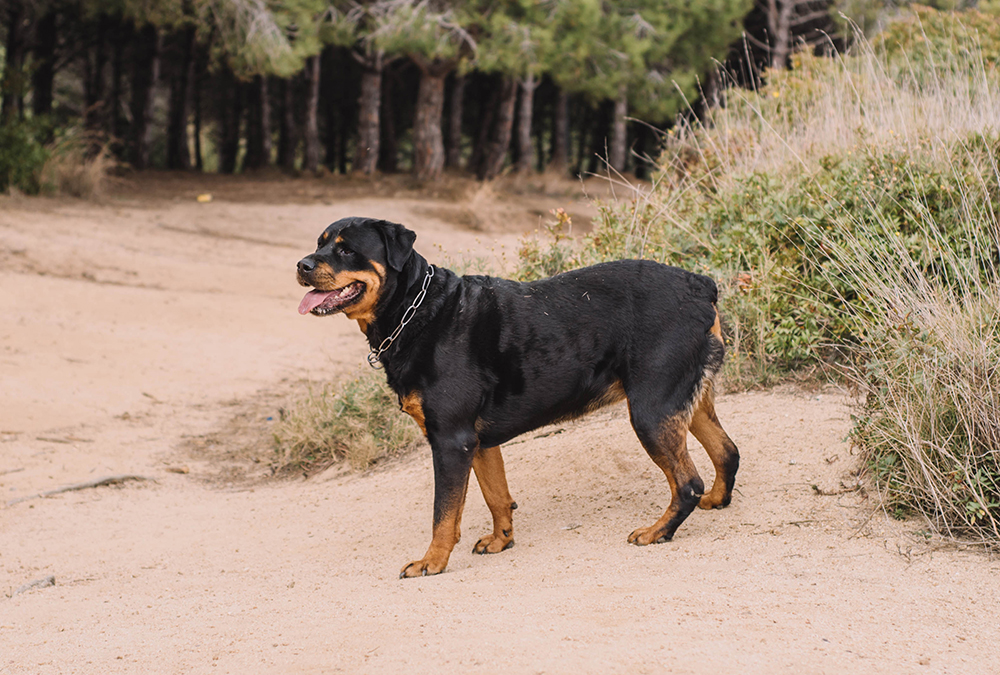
477	360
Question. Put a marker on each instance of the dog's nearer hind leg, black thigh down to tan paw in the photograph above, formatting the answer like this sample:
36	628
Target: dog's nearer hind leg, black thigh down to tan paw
666	442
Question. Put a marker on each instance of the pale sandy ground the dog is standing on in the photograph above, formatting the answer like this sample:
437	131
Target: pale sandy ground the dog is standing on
134	329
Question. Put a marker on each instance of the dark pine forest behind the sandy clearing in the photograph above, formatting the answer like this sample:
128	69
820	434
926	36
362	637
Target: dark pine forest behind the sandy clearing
480	86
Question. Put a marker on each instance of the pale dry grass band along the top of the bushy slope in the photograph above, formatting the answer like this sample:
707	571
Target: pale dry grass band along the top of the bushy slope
824	106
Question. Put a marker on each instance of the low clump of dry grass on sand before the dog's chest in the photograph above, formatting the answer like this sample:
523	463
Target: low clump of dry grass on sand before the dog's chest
358	421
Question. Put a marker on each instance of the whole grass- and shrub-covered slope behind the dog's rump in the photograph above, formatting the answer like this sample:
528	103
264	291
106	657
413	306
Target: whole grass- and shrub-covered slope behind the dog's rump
847	209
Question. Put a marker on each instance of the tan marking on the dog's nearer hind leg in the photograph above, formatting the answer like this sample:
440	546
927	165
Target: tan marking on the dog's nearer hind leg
671	455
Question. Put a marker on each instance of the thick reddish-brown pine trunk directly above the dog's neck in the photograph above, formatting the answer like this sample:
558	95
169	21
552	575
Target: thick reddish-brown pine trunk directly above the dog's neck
428	141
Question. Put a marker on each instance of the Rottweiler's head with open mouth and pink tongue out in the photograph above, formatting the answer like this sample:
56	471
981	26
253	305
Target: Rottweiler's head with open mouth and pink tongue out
349	269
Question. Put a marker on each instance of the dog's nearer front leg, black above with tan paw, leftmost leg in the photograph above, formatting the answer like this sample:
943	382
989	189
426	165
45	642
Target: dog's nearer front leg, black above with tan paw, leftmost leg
452	465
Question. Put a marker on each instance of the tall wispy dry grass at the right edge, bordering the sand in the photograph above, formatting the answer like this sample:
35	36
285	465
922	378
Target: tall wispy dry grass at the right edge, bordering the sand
928	365
